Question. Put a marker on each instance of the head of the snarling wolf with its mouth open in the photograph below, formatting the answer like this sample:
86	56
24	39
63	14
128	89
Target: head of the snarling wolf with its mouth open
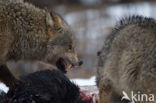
61	46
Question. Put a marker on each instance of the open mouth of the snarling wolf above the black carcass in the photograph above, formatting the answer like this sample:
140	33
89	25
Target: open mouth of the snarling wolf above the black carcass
64	64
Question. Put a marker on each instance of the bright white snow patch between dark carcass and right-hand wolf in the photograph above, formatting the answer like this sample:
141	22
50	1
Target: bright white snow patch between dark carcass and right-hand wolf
85	82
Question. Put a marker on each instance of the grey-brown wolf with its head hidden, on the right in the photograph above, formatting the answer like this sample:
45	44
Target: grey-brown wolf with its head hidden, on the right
127	61
